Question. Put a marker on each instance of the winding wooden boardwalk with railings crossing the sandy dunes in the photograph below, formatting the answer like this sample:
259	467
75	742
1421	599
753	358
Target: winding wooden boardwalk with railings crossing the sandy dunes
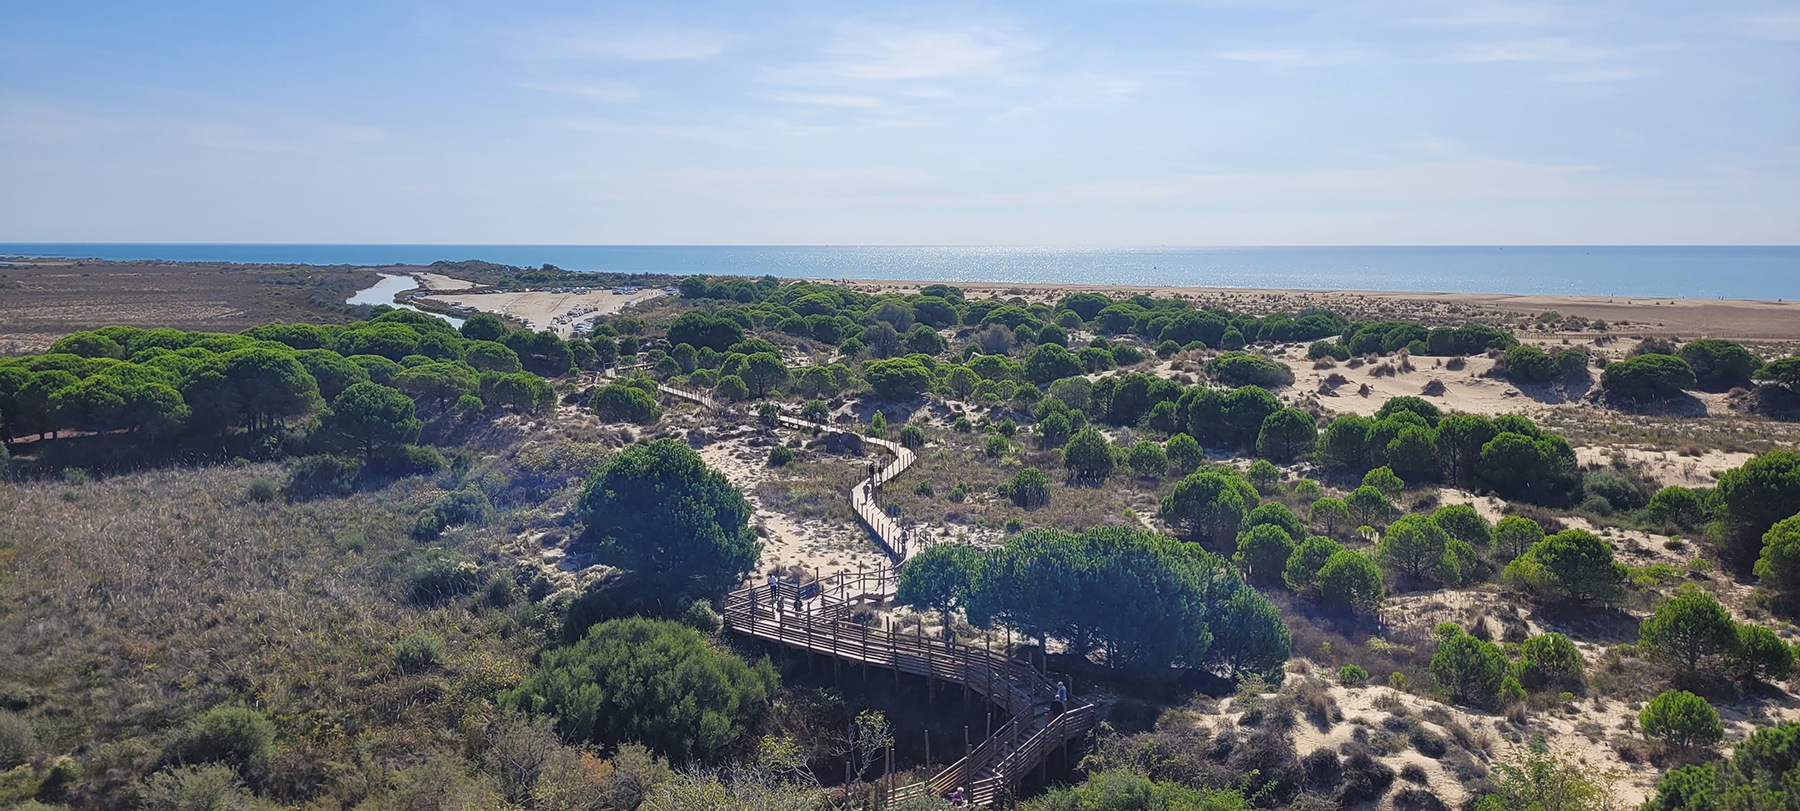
831	618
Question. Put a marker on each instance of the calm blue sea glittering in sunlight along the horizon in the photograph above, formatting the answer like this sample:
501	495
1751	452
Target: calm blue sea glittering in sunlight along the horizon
1668	272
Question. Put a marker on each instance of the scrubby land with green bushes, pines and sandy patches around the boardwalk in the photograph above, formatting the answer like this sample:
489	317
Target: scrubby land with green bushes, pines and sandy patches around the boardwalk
399	566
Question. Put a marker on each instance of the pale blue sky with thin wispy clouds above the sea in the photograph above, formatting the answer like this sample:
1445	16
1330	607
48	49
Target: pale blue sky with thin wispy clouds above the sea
975	123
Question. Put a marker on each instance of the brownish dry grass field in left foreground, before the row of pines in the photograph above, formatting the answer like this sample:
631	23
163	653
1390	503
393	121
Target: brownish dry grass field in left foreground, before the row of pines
138	602
